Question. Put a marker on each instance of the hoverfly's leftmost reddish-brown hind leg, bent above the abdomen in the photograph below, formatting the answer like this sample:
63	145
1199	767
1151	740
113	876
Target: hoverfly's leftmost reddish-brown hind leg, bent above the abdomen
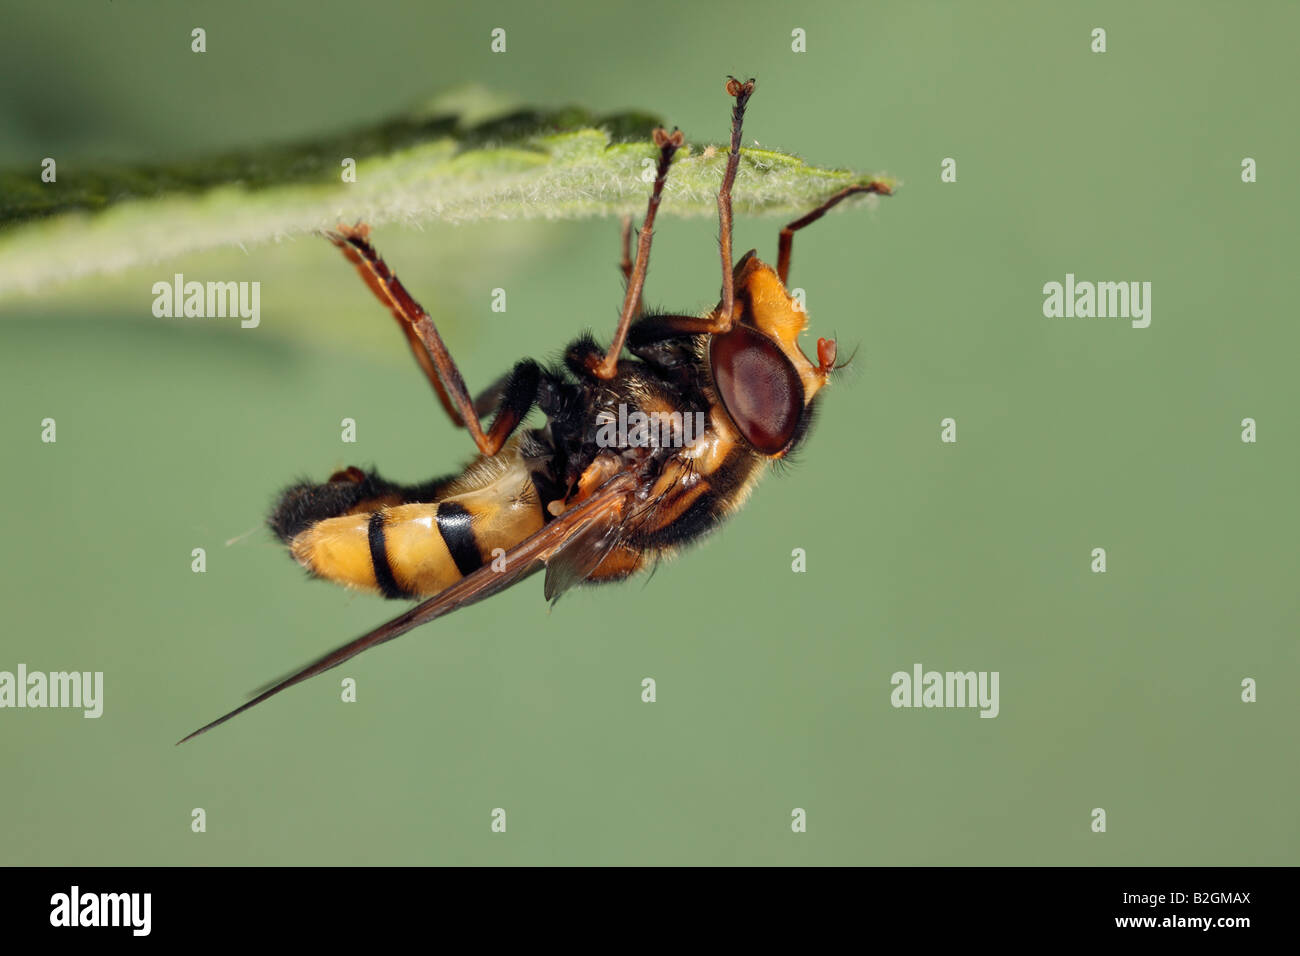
426	343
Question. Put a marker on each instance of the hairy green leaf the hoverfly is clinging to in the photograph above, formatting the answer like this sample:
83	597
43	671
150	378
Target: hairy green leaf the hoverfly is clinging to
431	166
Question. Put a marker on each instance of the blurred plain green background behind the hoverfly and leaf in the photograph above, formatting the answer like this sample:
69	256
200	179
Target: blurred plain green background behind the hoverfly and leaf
1119	690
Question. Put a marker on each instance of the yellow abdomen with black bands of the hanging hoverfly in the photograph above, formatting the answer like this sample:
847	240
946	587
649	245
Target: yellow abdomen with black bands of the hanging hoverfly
388	544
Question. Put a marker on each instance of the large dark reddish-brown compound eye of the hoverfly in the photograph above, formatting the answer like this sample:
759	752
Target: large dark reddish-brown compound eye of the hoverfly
760	388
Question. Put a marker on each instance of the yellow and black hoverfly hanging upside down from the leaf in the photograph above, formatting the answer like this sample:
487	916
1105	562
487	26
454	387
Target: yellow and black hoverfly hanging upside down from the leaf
583	500
